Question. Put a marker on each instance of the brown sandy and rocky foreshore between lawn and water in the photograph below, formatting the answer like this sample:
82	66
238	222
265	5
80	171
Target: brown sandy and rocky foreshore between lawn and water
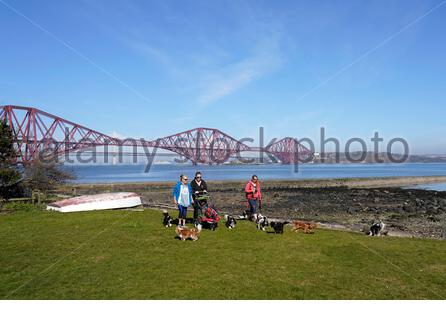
352	204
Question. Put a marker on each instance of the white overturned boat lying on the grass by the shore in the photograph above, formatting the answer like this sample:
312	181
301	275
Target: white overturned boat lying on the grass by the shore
97	202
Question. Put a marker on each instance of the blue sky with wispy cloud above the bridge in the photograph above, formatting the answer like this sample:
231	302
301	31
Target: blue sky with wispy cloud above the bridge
153	68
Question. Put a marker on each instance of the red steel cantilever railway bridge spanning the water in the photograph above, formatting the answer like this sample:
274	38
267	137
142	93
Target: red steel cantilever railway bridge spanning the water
35	131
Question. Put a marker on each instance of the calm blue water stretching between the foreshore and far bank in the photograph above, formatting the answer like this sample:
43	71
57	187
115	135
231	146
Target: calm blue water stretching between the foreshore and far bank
166	172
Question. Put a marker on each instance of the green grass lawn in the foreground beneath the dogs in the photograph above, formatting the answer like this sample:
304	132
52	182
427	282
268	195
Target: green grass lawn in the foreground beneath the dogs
130	255
